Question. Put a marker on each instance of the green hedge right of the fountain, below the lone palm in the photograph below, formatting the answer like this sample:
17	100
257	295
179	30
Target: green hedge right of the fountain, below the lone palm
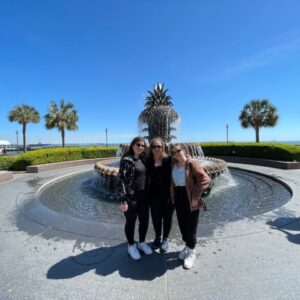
283	152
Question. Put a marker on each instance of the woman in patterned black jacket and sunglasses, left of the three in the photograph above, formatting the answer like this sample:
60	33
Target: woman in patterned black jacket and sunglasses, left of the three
133	175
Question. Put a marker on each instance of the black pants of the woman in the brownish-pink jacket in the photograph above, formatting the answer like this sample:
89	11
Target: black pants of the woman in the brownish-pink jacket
187	220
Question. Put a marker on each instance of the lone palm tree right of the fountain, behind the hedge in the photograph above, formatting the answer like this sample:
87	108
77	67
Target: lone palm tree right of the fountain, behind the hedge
257	114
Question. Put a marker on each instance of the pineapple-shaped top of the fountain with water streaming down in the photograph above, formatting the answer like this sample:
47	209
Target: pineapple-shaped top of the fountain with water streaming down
158	116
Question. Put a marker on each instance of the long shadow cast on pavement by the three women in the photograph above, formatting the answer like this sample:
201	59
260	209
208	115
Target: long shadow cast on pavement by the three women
108	260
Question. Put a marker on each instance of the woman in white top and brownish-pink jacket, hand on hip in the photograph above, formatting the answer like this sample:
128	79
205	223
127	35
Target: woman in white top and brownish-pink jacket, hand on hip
189	181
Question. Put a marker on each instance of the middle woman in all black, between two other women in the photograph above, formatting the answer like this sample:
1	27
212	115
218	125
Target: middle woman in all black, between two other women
159	179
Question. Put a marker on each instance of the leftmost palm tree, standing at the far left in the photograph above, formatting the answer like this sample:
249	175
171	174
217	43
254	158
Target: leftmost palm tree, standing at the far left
24	114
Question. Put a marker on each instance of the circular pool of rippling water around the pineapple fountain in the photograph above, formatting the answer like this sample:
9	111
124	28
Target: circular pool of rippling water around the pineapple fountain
86	196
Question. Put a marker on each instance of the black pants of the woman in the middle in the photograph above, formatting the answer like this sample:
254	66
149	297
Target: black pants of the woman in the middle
162	211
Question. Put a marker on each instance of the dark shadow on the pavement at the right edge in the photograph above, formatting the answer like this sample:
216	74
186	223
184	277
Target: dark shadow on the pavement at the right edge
285	225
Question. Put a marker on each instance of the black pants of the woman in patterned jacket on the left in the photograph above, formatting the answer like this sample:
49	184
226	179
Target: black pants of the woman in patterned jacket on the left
138	207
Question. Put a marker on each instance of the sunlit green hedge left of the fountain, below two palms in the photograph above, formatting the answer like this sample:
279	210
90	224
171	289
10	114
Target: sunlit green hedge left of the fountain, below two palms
45	156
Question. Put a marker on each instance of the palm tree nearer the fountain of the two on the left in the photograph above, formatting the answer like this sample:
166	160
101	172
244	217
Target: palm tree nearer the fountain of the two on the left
62	117
